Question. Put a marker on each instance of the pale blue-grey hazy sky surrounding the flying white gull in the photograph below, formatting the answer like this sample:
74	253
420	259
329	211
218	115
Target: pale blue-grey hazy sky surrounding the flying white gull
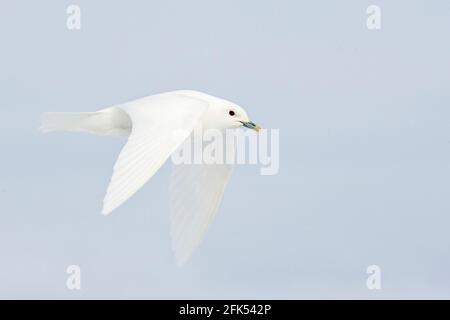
365	148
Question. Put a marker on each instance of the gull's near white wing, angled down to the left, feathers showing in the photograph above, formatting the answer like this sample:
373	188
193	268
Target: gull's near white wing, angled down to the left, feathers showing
160	124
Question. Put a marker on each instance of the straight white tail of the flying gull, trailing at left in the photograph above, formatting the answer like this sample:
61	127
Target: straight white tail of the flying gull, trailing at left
111	121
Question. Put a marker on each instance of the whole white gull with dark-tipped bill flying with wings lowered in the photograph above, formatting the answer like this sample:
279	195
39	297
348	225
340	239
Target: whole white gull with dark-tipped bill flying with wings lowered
150	124
